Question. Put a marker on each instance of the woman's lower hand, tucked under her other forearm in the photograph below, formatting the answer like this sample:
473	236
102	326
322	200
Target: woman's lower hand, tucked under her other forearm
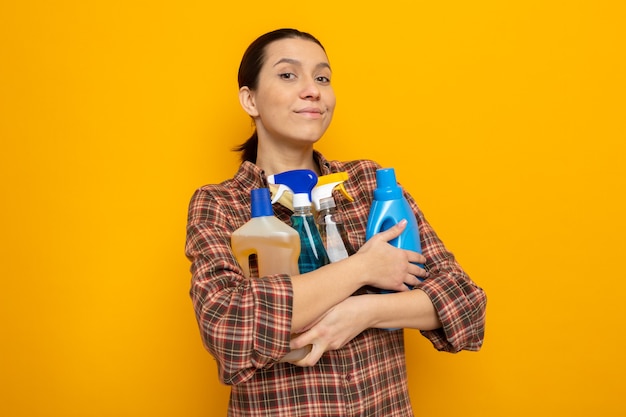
337	327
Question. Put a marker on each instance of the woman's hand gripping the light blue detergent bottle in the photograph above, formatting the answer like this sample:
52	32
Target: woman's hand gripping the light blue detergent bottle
387	267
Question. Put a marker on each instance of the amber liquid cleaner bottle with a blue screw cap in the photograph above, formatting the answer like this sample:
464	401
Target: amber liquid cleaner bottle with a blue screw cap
275	244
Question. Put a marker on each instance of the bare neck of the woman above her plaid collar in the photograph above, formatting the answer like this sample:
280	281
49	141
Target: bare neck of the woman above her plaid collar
274	160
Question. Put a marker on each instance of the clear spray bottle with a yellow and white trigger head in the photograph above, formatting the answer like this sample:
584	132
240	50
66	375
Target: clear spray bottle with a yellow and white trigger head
328	219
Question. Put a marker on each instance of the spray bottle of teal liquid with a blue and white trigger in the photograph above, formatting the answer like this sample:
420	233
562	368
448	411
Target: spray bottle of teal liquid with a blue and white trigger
301	181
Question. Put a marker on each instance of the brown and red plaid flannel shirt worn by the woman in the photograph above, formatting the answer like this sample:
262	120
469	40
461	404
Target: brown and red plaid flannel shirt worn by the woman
246	323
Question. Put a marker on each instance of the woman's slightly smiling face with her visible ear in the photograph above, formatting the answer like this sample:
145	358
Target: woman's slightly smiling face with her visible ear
294	100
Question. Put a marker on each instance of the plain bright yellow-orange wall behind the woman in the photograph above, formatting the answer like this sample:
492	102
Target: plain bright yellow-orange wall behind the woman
505	120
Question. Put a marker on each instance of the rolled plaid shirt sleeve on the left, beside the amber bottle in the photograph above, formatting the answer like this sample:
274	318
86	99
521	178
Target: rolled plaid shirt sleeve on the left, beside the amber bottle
244	323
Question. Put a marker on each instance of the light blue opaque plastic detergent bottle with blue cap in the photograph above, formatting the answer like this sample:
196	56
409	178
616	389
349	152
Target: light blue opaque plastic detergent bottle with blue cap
389	208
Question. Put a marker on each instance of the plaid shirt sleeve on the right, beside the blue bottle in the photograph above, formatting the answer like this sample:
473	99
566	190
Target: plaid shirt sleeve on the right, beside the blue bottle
459	302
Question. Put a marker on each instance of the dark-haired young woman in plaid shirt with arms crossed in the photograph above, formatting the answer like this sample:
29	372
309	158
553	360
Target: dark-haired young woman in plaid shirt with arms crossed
350	363
